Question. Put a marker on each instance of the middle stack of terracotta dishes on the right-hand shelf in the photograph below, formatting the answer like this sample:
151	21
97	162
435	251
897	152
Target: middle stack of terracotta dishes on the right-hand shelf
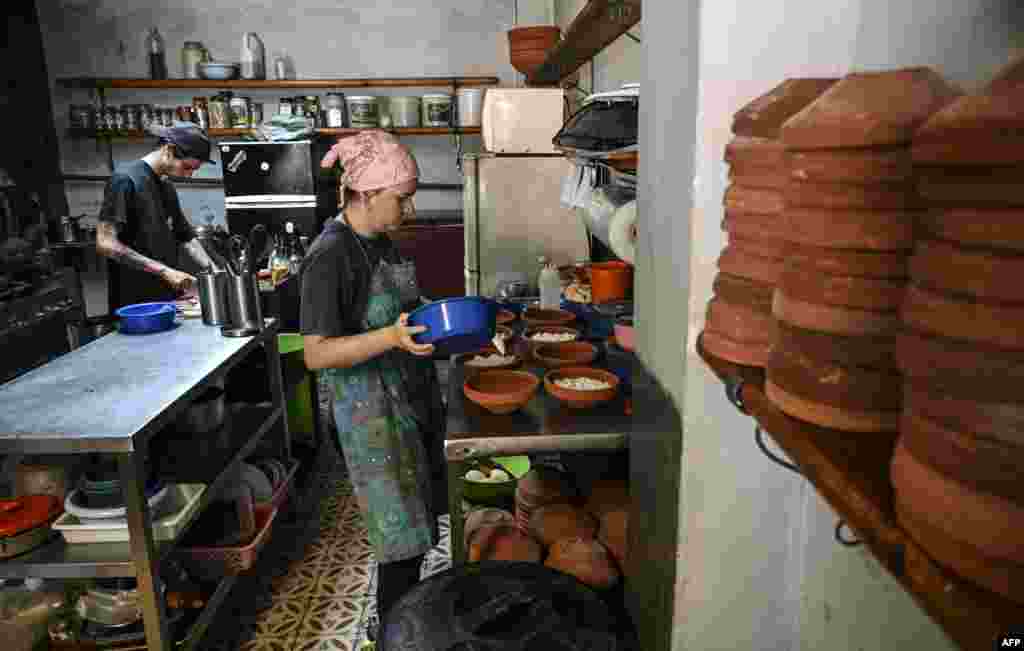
850	209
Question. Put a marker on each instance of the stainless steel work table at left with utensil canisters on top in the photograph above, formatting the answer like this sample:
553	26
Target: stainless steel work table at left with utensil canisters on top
114	396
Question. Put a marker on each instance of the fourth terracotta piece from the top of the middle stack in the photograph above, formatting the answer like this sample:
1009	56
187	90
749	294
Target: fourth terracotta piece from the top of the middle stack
873	231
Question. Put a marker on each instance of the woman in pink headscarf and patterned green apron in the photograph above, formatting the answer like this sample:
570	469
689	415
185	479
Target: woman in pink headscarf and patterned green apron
357	293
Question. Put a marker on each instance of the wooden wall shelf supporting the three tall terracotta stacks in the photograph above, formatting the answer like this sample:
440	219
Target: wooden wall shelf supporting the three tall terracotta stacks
851	472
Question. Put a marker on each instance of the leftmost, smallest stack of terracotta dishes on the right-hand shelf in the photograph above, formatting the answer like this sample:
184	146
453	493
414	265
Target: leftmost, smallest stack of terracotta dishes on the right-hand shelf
740	322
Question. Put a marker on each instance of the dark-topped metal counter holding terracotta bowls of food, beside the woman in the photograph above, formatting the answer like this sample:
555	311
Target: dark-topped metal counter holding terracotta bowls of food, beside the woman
545	425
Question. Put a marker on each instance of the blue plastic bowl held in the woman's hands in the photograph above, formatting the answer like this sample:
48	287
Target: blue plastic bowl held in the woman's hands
456	326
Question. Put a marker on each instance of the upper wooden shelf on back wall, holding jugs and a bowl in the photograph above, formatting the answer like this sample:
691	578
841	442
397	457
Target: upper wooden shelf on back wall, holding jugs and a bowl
270	84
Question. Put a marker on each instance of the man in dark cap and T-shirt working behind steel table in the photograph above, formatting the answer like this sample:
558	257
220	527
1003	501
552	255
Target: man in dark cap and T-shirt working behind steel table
142	224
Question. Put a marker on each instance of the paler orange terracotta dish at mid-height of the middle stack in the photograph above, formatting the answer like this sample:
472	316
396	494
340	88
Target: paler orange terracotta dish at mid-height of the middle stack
832	319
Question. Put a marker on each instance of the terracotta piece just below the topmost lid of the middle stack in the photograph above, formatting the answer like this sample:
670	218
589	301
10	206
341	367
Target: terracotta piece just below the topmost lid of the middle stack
851	166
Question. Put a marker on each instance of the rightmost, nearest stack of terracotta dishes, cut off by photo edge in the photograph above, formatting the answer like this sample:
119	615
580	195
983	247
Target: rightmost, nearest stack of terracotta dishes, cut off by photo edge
958	474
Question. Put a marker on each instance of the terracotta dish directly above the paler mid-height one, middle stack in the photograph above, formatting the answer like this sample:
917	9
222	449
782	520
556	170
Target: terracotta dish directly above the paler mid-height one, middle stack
809	285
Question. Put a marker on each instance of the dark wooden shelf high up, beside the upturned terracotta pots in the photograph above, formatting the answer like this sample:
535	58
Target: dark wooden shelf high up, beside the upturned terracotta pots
596	27
